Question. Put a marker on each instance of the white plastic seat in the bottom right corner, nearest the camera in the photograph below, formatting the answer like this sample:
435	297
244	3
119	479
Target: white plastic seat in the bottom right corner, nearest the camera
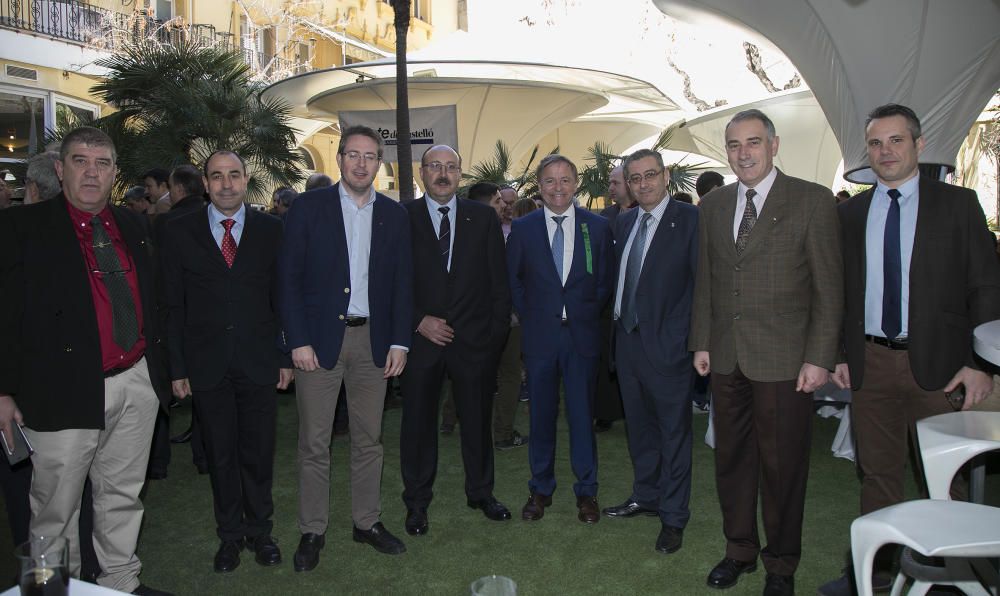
934	528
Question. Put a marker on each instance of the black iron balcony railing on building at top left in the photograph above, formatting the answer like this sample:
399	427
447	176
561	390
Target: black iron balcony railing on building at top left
84	23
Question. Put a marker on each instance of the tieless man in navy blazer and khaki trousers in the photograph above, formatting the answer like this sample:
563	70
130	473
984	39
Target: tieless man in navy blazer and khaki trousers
346	288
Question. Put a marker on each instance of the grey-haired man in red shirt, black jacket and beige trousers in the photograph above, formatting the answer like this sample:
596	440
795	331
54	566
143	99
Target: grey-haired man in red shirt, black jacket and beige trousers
75	372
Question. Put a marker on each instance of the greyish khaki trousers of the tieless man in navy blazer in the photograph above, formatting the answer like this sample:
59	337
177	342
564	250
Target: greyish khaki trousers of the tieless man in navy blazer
316	393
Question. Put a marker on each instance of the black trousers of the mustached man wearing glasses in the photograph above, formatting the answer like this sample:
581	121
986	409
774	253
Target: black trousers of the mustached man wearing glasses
472	389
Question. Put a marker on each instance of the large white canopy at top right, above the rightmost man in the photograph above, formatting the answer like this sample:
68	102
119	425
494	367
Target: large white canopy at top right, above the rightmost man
940	58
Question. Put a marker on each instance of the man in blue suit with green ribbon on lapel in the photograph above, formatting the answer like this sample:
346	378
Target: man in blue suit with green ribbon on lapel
559	300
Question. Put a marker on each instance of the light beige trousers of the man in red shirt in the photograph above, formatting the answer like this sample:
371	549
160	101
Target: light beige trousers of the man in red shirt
115	460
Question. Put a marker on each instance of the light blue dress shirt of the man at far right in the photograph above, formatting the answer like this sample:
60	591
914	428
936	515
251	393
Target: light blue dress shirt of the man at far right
874	239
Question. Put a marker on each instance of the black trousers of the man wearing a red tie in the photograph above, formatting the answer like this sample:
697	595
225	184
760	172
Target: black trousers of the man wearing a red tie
238	419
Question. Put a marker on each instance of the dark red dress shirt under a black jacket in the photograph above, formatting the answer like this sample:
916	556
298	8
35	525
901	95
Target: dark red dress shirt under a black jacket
112	354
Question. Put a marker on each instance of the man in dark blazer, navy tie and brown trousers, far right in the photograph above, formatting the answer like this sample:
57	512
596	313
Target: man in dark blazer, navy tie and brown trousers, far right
920	274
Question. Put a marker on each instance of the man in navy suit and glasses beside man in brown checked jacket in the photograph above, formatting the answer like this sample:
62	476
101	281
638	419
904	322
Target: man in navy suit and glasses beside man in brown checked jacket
657	255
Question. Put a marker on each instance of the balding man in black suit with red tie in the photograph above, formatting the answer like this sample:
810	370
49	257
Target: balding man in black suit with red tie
219	276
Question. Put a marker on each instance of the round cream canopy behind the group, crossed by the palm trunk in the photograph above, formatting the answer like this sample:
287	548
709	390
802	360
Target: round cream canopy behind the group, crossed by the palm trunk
522	104
